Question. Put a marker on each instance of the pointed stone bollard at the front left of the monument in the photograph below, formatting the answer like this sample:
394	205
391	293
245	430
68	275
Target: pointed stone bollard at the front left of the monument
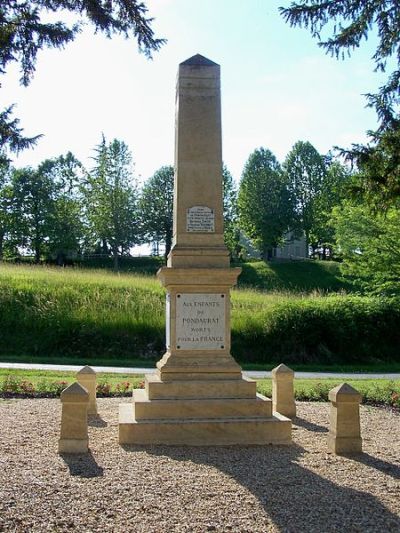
74	428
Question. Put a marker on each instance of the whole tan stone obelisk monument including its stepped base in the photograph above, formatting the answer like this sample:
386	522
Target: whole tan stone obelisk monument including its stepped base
198	395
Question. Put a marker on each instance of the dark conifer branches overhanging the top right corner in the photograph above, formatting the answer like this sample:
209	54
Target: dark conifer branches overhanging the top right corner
352	21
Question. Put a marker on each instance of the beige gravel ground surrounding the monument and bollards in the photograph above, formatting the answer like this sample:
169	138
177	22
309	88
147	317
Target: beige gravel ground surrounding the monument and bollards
300	488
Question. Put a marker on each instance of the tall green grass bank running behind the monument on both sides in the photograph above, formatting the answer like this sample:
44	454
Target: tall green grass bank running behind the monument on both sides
102	317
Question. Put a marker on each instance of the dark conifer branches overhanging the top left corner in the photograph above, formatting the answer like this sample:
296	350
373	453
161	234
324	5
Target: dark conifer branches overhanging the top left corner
25	30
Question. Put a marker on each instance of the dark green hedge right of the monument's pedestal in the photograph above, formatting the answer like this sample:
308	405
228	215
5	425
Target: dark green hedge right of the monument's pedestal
332	329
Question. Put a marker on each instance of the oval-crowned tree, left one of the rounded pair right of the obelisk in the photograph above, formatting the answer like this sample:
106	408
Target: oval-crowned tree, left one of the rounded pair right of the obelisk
265	206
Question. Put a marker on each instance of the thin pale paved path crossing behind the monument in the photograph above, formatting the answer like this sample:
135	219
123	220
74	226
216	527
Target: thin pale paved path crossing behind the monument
252	373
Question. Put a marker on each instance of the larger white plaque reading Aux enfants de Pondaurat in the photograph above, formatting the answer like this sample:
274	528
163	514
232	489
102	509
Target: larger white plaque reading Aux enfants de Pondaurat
200	321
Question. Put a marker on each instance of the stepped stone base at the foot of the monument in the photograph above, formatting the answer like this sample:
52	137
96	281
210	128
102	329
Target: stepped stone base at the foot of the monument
214	412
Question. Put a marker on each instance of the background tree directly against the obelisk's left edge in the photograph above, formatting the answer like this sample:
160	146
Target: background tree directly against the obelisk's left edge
156	207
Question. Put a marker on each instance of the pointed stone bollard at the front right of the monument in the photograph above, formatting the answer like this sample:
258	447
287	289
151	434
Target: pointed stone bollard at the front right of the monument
344	430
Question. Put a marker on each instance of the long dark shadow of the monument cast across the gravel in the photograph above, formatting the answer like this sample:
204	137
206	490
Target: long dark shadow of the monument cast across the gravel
294	497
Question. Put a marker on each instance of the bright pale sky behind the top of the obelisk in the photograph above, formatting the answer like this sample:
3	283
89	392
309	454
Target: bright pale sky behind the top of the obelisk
278	87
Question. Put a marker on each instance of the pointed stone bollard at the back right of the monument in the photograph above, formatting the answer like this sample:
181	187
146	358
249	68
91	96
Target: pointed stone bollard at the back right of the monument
283	391
